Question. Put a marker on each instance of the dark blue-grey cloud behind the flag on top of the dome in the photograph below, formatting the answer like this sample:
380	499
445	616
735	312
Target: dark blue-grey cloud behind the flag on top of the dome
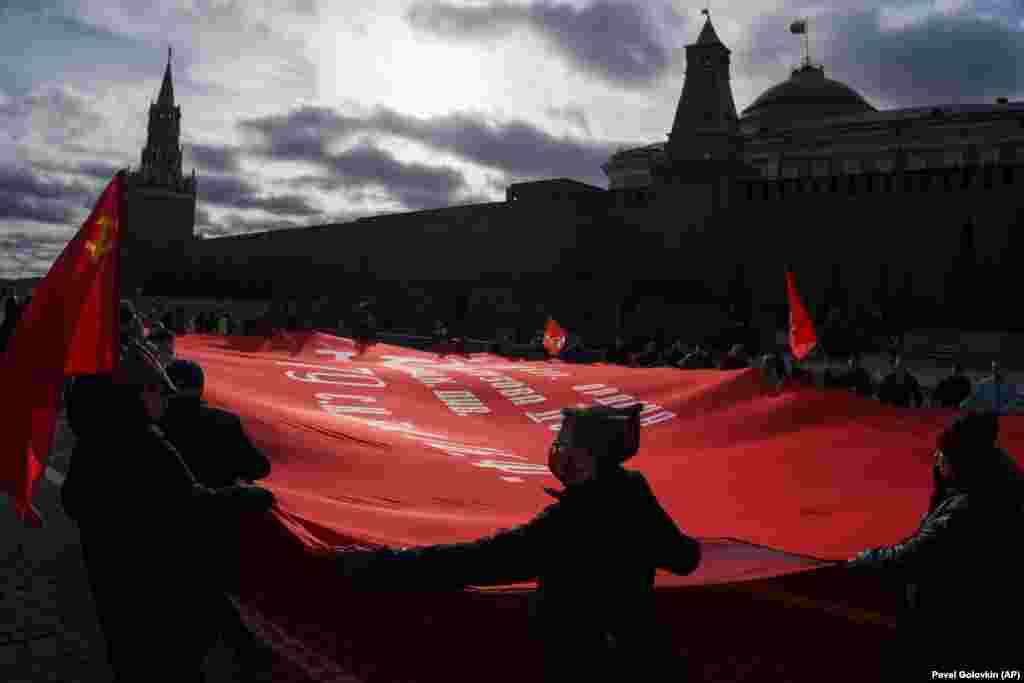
937	60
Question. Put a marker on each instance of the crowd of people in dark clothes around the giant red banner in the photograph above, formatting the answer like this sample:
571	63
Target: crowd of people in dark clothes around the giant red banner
199	486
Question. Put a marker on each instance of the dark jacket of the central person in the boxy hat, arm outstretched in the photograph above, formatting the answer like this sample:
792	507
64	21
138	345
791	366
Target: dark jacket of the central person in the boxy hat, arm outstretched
594	553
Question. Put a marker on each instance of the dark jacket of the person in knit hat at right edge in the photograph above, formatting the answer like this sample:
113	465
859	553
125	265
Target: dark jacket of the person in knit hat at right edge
962	569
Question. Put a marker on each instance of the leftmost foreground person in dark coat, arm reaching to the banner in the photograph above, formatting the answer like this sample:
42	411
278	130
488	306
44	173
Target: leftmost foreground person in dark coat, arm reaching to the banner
143	519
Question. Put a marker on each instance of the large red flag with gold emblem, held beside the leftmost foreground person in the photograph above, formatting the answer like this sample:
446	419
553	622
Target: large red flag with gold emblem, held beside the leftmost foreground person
71	327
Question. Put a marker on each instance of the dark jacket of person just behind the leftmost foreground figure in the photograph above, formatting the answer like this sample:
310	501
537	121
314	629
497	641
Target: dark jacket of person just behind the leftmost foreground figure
214	444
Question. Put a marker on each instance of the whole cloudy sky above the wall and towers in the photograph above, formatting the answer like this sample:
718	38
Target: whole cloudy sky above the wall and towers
305	112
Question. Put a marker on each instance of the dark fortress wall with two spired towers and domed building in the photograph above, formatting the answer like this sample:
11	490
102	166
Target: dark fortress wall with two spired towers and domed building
913	210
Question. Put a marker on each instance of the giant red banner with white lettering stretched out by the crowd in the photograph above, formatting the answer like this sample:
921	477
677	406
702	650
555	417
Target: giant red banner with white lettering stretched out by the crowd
402	448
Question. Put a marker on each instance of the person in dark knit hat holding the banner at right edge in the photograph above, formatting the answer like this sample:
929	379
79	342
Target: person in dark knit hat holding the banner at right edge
962	568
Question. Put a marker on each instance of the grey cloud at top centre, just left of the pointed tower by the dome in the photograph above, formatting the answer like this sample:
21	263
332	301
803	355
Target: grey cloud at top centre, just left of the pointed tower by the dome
619	42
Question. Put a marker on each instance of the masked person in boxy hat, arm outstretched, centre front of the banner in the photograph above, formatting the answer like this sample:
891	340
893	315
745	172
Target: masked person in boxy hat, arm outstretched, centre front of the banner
593	552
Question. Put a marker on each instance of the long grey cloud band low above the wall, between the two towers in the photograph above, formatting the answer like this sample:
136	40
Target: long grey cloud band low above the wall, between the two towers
520	150
